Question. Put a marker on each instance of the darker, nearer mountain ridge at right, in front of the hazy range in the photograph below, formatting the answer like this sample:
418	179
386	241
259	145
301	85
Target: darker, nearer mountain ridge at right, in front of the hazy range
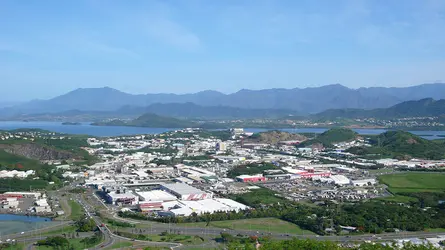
419	108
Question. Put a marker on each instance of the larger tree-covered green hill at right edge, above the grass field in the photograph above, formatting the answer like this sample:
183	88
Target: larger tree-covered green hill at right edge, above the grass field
402	145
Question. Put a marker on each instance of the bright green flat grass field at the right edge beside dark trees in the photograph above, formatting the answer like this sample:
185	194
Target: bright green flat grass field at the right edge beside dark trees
414	182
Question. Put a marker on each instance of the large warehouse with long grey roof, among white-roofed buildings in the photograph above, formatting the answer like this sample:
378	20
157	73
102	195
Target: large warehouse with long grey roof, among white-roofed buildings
185	192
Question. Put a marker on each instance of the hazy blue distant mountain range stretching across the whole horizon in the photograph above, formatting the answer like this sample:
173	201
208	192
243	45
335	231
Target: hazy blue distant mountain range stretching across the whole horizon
301	100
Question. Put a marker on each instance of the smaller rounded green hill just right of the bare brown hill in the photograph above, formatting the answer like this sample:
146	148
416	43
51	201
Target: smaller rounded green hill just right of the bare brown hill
331	136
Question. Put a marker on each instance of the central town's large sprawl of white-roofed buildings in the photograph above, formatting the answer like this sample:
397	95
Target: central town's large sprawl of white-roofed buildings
140	175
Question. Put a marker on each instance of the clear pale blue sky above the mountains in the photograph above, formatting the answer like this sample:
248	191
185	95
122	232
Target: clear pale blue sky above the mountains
180	46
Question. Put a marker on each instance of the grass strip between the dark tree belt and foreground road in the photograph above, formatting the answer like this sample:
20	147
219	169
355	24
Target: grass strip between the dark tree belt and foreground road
260	224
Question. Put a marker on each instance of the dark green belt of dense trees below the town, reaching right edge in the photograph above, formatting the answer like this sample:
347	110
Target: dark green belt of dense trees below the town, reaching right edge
367	217
